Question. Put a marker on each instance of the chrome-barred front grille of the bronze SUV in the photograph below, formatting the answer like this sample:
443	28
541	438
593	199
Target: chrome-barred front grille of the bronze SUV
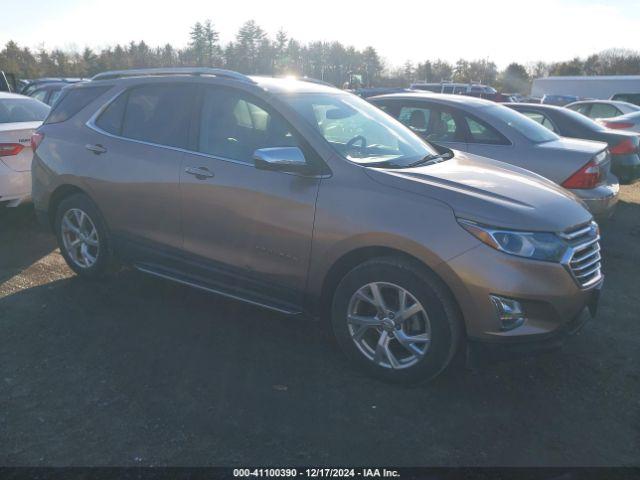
585	260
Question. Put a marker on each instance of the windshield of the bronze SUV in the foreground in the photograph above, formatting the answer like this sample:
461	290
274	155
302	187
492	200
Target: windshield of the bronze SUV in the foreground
360	132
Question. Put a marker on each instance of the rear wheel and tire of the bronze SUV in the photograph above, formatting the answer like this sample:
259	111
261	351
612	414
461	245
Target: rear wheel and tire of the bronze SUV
82	236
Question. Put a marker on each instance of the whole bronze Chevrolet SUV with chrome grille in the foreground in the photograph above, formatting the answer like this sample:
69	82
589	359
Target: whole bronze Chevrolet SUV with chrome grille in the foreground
309	201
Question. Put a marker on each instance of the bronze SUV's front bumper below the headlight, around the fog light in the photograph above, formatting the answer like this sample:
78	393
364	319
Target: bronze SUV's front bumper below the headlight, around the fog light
549	294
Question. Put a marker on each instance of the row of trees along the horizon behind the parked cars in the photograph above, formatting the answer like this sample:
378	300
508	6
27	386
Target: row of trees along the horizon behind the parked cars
253	51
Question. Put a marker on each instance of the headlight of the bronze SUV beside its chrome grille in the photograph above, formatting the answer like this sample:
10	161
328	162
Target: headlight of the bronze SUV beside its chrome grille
537	245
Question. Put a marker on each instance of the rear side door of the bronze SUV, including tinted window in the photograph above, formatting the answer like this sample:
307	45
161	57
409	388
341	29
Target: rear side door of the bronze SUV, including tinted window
133	156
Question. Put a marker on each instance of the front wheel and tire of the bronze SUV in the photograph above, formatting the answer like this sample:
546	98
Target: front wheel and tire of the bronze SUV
396	320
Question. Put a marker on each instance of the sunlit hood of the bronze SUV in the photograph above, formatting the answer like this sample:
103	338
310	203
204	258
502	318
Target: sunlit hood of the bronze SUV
490	192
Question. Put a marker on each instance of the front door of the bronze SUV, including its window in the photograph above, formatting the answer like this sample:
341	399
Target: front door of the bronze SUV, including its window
251	228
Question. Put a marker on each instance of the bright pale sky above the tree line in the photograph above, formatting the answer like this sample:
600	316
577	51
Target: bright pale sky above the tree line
502	31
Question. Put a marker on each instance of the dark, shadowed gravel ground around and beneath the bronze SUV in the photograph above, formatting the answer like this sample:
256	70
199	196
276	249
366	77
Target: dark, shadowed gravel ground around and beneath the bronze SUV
137	371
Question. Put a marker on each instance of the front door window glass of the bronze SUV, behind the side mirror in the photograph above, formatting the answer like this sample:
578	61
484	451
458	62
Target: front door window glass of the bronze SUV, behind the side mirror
233	127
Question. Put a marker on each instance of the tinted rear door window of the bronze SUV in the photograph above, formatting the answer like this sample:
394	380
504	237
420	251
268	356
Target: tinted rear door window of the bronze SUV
158	114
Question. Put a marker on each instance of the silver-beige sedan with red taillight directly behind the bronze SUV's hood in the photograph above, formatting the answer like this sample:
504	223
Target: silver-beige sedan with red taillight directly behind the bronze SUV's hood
495	131
